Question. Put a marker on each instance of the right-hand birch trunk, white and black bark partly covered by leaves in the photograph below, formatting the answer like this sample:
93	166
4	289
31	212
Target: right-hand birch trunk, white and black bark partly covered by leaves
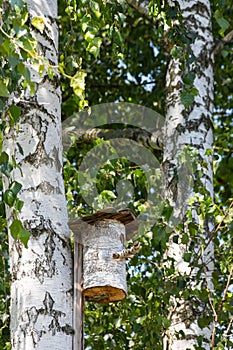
190	127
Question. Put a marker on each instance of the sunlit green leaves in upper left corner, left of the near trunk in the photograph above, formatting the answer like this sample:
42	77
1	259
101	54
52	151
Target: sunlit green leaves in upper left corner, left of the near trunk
17	44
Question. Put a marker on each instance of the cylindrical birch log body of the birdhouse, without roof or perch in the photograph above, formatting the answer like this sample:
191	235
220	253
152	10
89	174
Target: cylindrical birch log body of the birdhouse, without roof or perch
104	278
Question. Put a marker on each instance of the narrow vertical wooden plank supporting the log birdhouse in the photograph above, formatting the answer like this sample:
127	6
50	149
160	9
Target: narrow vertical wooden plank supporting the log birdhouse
78	297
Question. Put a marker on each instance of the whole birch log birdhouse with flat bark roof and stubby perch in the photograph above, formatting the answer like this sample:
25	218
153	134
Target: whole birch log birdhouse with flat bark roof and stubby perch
103	236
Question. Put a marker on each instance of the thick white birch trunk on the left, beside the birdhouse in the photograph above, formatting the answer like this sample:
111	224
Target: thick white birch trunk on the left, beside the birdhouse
41	275
